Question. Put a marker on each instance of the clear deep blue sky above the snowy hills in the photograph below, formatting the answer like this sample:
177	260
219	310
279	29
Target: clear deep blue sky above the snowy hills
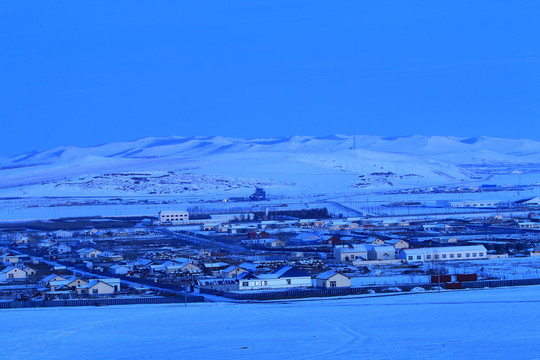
90	72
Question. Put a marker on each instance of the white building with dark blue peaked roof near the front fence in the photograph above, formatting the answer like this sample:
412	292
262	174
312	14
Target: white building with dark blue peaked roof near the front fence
283	278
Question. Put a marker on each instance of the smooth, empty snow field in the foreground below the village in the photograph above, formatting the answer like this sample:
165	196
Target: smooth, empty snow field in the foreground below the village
480	324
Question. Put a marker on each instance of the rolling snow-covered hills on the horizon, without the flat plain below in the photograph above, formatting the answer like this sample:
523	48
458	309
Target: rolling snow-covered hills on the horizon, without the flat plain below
220	166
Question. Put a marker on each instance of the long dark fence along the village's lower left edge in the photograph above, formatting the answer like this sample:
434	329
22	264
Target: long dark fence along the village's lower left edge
101	302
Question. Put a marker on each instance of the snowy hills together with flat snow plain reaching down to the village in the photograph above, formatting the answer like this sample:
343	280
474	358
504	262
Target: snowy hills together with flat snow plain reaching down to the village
299	170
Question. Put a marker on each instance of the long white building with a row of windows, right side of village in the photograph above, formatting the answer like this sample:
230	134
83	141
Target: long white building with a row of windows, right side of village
451	253
